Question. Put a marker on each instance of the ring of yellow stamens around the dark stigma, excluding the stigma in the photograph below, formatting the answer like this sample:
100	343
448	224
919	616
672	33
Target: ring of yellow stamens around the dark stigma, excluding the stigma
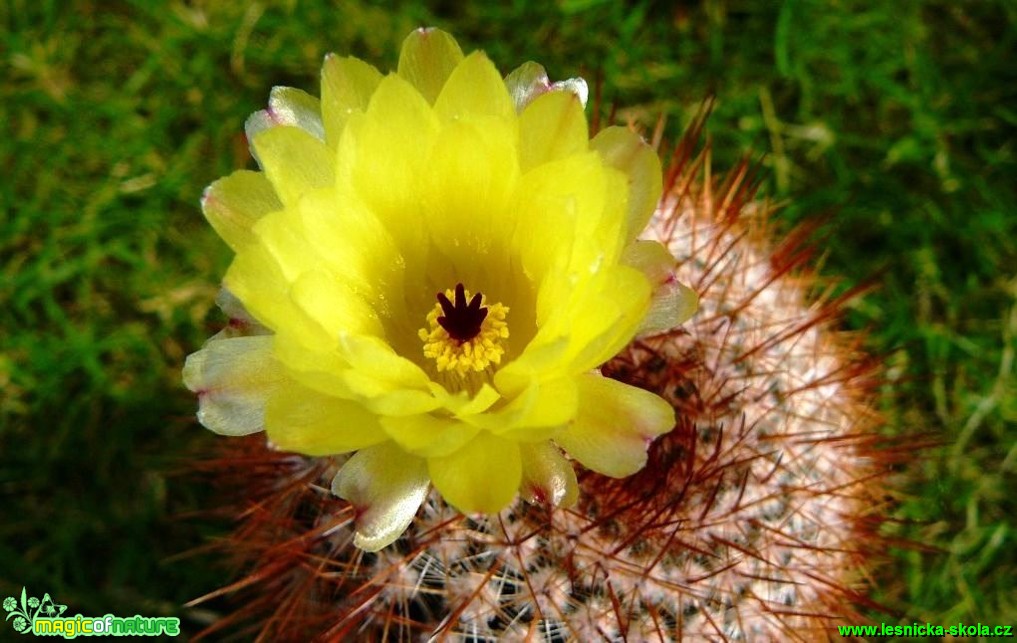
476	355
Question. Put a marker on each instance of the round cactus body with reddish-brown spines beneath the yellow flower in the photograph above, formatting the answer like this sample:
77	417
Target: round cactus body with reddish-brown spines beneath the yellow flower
757	518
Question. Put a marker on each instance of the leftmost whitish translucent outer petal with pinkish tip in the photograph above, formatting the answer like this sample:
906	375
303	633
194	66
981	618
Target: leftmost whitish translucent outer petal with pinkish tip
233	379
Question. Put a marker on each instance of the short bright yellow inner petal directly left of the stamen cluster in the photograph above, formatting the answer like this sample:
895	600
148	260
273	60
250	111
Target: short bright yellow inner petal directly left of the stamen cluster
334	306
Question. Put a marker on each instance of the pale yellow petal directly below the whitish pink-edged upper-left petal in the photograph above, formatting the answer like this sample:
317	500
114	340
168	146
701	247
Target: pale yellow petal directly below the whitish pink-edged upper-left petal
294	161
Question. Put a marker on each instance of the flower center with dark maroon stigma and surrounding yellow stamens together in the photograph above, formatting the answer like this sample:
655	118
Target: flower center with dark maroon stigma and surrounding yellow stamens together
463	334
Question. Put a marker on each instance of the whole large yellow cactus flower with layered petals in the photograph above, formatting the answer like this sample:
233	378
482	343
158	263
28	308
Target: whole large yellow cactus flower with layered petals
431	267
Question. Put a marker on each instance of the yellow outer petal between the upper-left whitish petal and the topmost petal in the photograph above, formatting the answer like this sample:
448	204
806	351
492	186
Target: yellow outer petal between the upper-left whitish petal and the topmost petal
347	86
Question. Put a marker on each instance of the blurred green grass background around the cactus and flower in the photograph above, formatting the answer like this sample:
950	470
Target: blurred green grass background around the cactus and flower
895	122
